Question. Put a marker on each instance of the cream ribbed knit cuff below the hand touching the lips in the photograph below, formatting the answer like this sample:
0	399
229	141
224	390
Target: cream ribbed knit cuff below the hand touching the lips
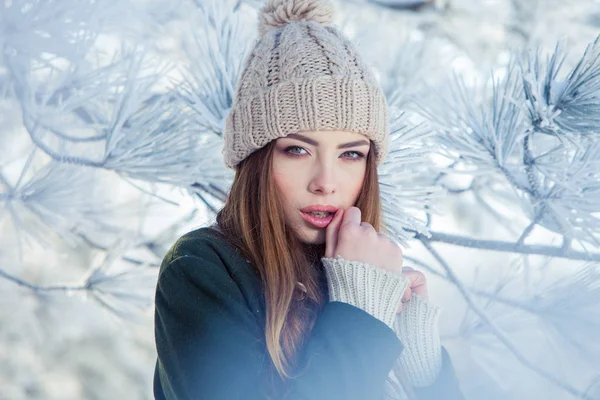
374	290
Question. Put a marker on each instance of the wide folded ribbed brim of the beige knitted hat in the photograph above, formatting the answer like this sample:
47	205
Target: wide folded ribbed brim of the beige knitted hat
293	105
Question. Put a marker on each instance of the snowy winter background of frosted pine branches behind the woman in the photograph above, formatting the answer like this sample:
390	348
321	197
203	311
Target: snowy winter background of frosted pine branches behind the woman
111	114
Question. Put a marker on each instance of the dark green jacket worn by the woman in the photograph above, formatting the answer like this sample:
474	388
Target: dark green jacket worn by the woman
210	335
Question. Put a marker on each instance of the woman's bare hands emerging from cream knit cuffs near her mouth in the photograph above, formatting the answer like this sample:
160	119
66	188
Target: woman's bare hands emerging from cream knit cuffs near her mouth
354	240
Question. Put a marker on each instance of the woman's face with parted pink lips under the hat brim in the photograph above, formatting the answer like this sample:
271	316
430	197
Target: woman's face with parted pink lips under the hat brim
318	168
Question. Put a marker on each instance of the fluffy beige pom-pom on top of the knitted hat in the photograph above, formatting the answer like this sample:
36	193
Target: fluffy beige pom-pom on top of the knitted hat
278	13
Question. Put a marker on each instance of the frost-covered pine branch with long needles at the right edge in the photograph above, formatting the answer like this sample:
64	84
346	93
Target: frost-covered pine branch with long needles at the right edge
520	135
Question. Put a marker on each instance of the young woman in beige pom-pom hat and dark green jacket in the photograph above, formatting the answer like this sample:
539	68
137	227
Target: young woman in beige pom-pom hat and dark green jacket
294	293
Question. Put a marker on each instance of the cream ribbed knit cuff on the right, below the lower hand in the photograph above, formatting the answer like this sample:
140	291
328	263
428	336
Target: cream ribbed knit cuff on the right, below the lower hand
417	328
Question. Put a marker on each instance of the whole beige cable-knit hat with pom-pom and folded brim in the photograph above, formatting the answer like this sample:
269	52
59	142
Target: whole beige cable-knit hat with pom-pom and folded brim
302	75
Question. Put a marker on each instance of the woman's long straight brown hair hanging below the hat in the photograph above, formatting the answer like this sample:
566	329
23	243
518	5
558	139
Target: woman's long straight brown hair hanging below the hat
252	220
